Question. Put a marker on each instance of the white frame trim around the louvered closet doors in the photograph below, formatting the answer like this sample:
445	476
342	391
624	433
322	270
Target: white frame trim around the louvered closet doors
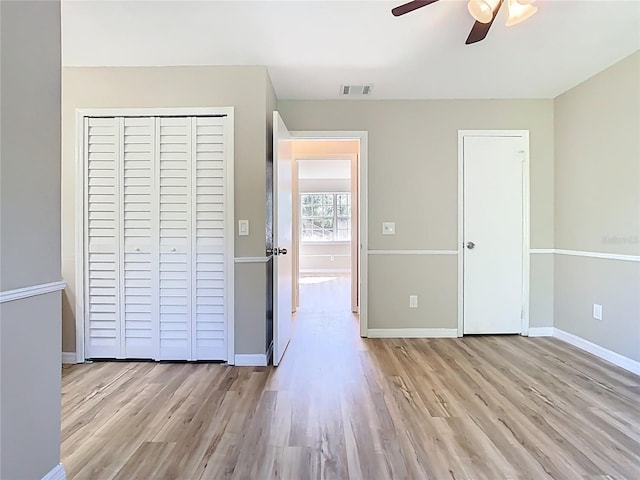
80	210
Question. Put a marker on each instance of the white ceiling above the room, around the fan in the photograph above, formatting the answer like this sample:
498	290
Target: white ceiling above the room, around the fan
311	47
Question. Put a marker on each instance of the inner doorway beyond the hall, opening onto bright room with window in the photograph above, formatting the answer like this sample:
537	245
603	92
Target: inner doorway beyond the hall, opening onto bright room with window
325	213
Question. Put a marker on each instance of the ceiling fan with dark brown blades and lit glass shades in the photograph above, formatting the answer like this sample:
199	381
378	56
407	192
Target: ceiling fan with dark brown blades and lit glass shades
483	11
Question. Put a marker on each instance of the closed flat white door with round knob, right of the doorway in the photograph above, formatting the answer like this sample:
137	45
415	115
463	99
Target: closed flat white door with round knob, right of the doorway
493	234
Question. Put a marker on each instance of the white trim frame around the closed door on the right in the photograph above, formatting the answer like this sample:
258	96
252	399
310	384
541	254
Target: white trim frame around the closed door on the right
524	134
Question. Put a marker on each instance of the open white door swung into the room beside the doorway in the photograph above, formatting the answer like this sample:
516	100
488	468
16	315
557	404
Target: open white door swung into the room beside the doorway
282	234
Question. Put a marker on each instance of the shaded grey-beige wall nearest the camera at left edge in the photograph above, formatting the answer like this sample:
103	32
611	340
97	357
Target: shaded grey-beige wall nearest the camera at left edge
29	237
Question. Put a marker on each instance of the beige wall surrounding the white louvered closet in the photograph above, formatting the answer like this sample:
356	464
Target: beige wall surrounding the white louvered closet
248	90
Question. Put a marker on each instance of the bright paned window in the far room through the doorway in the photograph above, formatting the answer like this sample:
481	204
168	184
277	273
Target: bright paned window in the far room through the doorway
326	217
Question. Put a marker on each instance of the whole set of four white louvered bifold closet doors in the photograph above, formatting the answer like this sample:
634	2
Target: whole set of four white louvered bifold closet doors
157	241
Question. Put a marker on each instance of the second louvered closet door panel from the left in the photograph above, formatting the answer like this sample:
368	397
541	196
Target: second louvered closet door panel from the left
139	239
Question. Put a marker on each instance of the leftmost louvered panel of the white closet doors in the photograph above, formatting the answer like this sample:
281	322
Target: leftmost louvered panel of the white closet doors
102	219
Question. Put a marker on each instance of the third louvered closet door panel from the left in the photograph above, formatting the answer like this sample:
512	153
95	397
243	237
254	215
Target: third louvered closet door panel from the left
174	172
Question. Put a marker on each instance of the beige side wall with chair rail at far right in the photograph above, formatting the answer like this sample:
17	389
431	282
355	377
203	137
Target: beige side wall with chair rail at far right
597	191
